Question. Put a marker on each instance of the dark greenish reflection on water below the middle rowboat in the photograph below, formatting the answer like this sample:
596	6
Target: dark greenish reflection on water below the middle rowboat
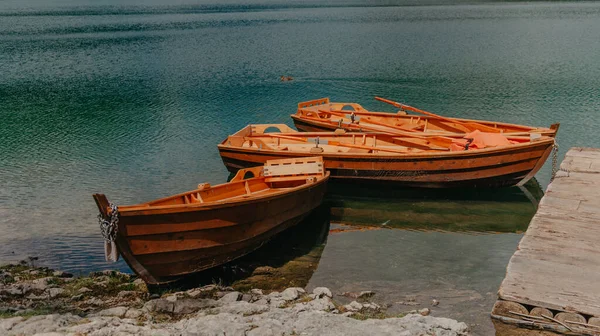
499	210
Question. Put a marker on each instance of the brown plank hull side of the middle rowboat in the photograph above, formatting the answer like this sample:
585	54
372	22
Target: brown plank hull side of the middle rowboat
482	168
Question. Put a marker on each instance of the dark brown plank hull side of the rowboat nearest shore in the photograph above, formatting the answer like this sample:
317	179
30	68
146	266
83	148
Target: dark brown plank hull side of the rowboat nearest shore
163	246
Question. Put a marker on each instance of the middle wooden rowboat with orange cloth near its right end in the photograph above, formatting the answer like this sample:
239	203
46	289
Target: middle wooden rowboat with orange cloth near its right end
410	161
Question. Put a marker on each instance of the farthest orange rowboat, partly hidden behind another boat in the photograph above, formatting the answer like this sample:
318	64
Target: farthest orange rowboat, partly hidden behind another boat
321	115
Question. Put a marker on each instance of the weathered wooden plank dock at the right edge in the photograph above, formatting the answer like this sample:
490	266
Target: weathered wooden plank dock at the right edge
555	271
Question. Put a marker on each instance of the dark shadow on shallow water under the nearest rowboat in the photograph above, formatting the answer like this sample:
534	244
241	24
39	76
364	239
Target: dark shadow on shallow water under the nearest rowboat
288	260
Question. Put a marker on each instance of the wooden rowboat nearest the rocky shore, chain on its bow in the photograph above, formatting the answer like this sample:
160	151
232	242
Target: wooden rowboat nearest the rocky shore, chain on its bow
168	238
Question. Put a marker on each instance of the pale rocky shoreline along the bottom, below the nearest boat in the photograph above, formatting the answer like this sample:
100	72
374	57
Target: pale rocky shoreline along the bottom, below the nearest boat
41	301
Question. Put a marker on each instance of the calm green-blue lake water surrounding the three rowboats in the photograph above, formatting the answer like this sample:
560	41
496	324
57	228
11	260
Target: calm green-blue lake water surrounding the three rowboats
131	99
